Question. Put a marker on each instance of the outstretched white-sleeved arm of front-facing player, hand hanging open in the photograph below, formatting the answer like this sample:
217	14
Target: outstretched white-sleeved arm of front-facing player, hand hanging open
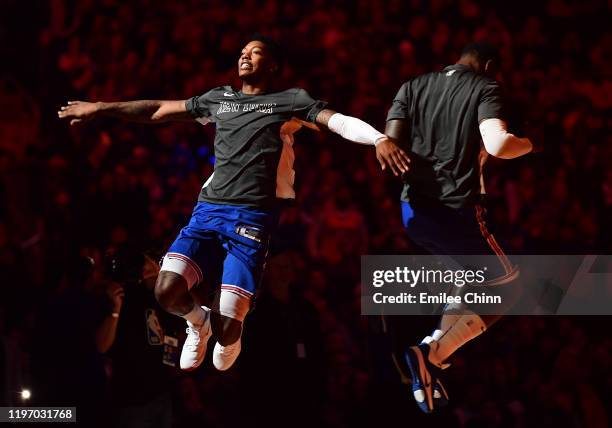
358	131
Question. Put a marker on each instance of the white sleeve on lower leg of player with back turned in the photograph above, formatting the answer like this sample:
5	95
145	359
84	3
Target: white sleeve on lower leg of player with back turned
457	330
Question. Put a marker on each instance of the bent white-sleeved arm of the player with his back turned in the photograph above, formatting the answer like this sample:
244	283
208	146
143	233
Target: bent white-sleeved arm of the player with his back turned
500	143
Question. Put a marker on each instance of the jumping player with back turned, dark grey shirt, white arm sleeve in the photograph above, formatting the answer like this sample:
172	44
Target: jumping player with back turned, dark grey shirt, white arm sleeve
440	119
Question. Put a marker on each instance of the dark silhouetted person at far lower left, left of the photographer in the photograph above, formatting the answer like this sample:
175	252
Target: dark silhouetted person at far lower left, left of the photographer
66	367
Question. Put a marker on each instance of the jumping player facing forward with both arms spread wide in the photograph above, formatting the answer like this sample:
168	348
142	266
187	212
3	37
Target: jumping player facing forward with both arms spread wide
227	237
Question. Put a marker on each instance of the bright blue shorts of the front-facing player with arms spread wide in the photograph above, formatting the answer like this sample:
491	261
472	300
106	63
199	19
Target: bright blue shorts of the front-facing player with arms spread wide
224	244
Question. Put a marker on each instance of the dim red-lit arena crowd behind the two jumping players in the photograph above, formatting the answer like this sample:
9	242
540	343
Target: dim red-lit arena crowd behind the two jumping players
308	354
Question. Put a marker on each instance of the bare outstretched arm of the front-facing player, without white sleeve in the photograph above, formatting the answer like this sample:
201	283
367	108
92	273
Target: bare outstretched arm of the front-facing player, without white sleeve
145	111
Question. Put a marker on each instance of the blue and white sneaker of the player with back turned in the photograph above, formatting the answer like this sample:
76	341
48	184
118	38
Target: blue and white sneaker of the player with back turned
424	376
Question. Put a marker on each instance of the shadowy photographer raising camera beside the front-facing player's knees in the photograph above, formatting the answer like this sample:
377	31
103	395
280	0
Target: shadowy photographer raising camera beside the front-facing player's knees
141	341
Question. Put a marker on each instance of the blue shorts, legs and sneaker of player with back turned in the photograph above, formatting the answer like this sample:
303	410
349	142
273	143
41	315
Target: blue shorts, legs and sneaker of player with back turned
443	231
